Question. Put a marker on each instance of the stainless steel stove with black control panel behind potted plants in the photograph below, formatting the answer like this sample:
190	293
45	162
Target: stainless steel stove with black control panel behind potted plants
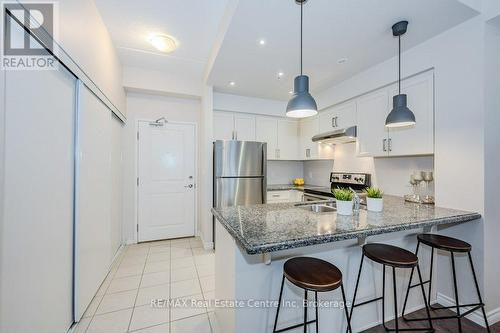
357	181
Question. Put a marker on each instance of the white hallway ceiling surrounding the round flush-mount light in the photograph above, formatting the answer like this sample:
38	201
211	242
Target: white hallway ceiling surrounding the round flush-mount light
194	23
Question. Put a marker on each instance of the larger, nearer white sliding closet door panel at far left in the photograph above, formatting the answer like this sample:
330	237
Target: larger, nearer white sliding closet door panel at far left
36	242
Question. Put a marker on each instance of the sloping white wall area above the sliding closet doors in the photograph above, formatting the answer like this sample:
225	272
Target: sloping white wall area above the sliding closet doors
83	35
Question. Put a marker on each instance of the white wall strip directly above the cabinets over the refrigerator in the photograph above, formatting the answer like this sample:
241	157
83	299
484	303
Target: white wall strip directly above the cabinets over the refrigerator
237	103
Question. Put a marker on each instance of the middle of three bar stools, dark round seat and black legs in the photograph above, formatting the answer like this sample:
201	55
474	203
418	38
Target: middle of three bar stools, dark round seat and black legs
394	257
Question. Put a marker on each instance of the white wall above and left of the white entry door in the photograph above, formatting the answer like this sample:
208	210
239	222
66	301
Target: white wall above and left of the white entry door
147	107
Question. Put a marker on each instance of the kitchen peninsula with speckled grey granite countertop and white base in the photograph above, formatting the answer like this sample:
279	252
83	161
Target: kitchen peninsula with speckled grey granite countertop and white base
254	241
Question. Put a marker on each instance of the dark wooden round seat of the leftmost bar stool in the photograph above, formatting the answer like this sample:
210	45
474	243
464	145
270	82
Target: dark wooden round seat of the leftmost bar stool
312	274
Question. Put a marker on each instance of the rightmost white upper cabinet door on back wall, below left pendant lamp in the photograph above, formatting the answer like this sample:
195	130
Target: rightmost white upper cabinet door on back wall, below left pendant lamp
288	139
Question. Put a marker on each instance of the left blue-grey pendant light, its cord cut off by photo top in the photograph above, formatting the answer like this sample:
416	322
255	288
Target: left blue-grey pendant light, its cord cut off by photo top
302	104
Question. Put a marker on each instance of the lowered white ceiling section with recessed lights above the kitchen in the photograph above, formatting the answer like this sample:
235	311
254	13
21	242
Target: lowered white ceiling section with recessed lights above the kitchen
359	30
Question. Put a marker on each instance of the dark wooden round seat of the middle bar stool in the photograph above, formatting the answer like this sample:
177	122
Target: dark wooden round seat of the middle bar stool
390	255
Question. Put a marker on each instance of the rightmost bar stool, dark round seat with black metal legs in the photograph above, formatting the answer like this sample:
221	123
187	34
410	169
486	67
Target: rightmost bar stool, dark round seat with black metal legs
451	245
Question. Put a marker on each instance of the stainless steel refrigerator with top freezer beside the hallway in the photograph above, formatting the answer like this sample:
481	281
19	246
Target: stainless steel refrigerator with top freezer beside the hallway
239	173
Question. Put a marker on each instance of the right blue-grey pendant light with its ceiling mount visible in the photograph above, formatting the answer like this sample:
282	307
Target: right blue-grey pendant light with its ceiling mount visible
400	115
